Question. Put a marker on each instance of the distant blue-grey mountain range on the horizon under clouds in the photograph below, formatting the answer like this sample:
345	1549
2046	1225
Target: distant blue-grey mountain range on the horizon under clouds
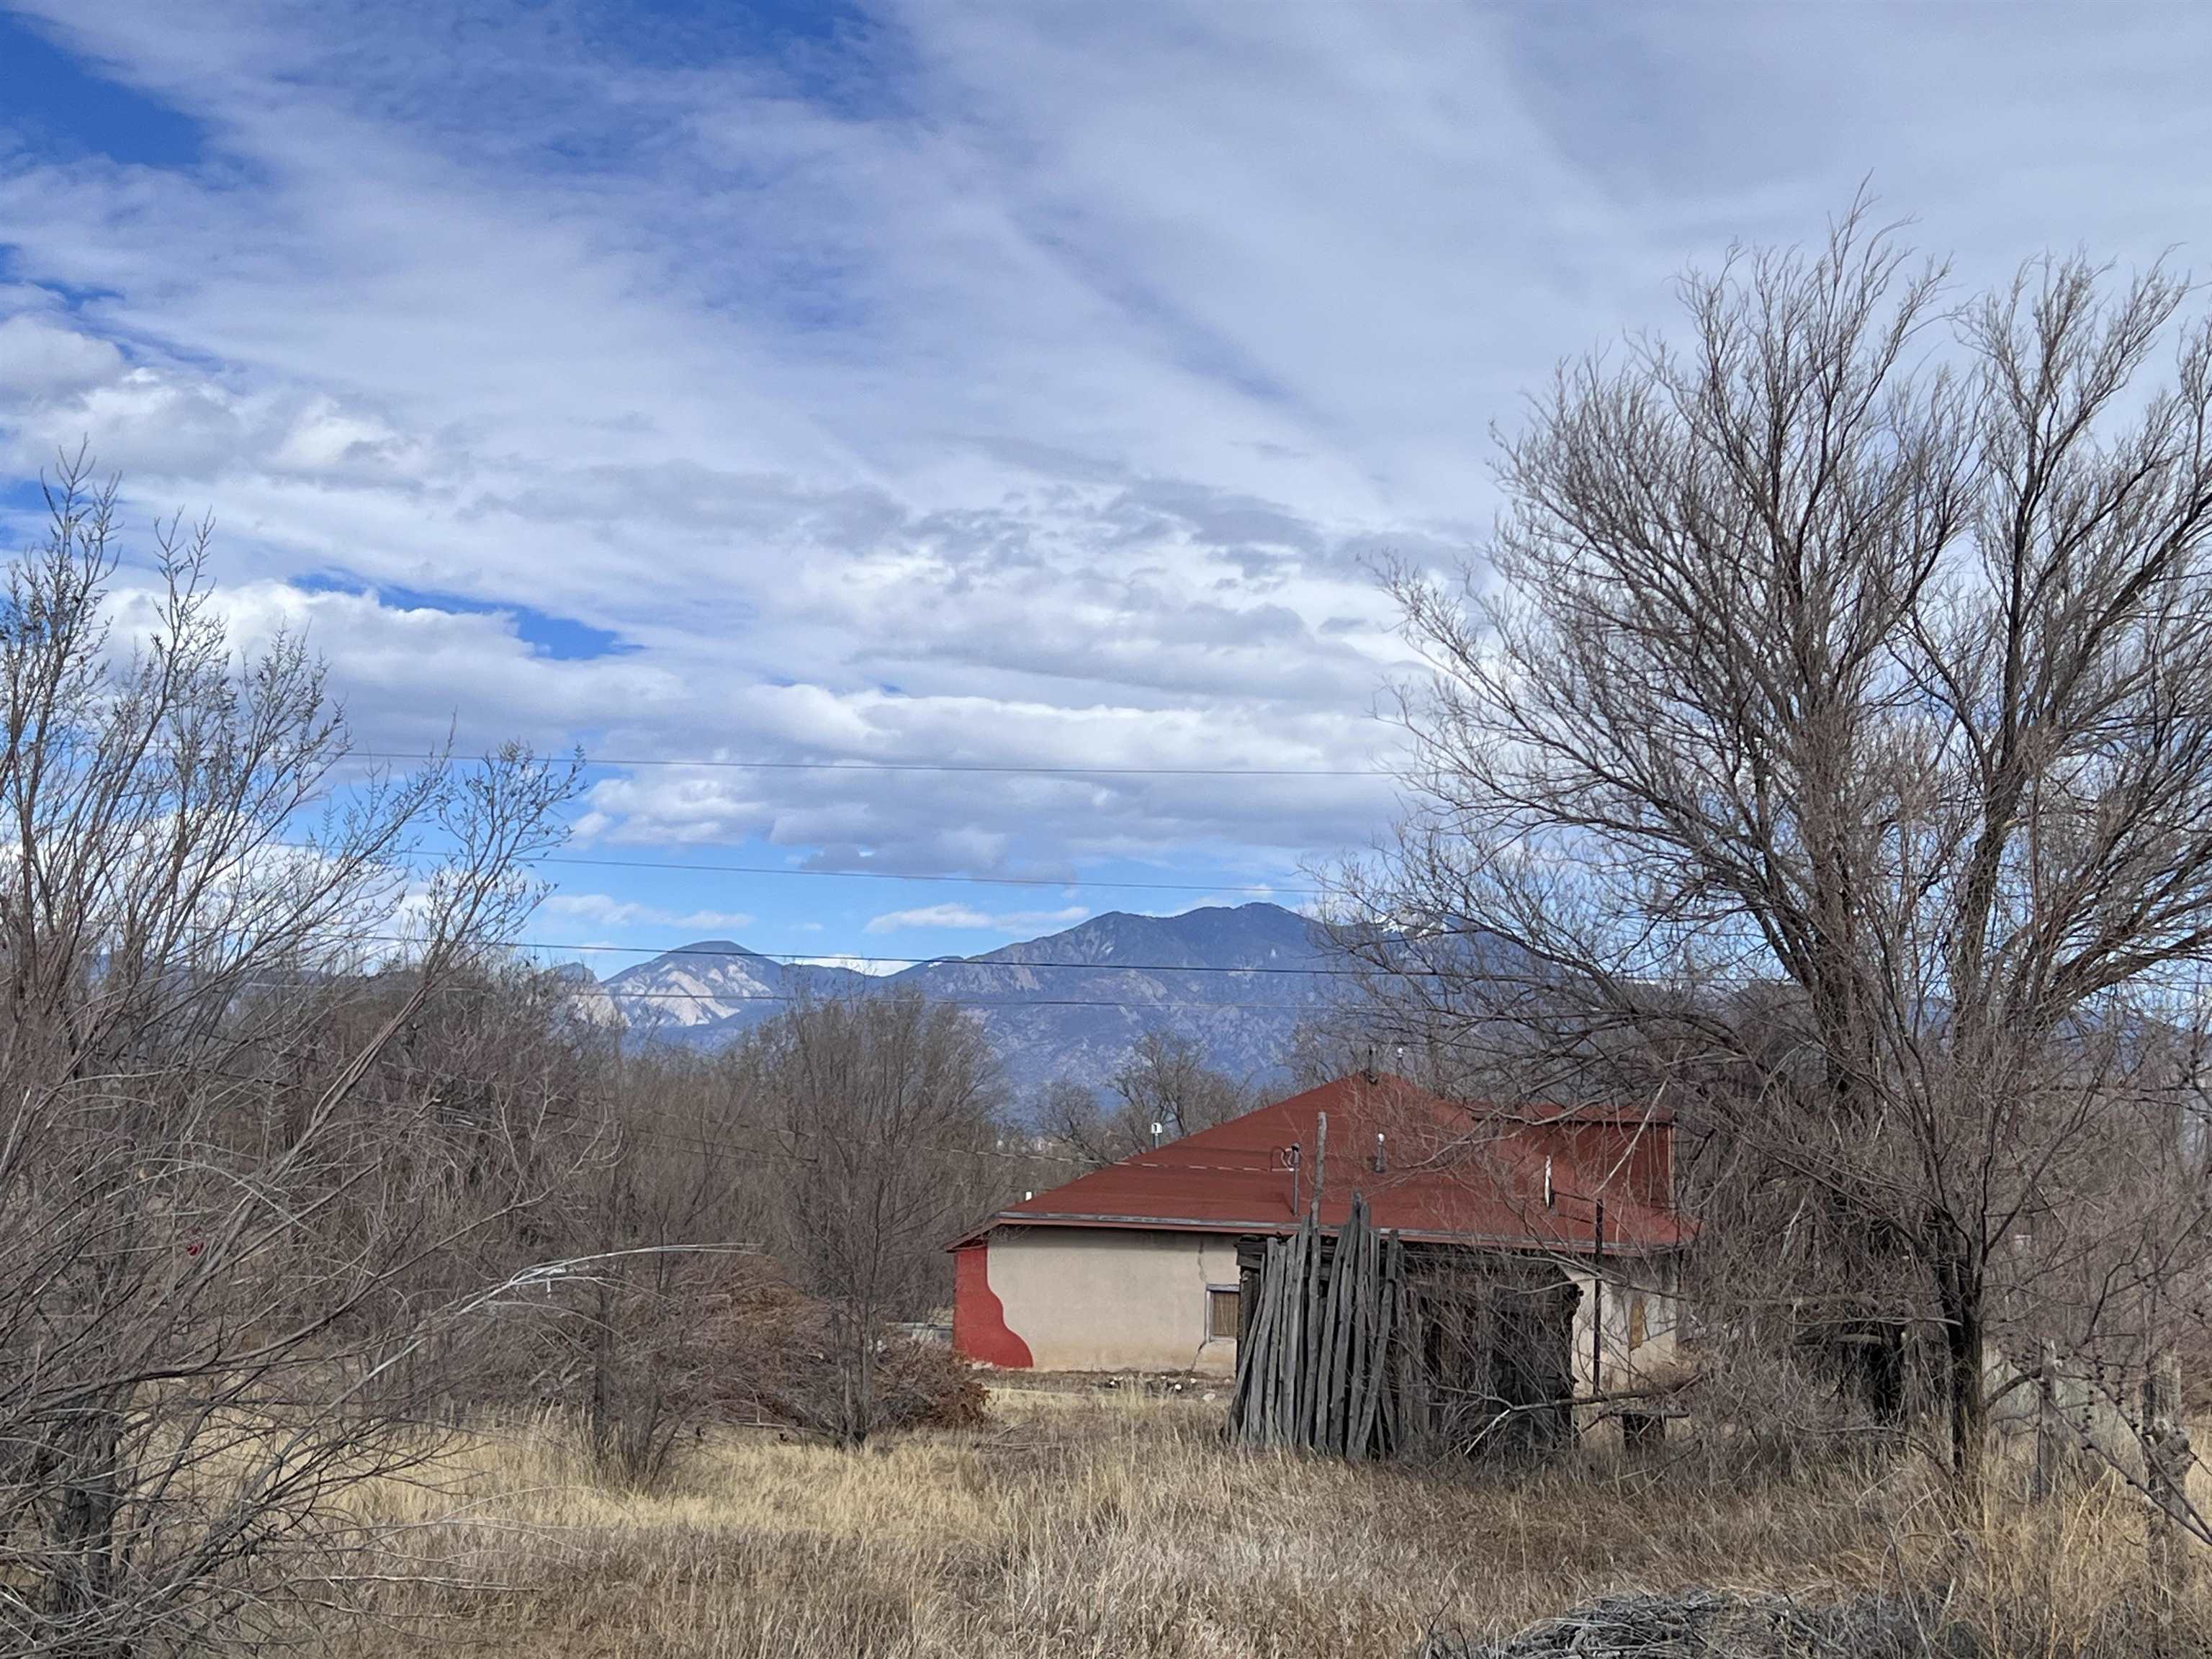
1067	1005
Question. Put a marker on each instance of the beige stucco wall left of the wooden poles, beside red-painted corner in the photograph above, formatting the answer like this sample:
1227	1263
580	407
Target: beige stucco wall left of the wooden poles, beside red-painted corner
1107	1300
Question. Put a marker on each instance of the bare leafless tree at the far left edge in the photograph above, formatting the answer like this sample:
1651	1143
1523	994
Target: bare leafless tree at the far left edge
209	1211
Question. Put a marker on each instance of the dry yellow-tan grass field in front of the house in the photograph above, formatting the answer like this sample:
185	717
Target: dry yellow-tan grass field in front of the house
1120	1527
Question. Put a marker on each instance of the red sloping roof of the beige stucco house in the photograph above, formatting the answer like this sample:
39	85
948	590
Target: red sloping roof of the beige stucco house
1452	1171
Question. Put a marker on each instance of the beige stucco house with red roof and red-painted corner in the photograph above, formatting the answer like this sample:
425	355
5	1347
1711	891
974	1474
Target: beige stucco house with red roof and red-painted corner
1565	1218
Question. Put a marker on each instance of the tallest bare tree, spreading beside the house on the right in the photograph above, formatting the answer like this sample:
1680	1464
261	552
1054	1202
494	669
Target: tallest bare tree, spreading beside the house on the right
1826	744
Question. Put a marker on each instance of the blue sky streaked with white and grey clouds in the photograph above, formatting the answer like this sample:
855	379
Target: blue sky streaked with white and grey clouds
868	390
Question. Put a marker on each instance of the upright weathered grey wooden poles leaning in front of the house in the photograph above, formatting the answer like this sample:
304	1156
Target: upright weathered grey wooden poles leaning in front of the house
1326	1364
